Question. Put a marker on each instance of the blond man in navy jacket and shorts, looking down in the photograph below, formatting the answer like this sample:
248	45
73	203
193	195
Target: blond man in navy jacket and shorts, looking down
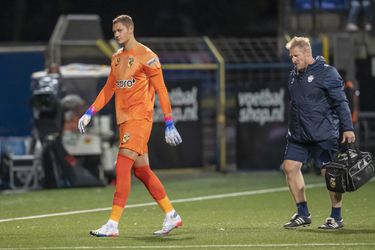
318	107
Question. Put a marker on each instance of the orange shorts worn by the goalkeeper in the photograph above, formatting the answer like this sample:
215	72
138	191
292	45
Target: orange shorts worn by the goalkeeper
134	135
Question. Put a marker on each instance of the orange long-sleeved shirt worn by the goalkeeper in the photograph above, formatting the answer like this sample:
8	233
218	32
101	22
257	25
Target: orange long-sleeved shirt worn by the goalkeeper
134	77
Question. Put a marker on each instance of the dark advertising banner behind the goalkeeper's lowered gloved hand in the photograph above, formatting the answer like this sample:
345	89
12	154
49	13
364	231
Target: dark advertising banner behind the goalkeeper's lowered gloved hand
184	97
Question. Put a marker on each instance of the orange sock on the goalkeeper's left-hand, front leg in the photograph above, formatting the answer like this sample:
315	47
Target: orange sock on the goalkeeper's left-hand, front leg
123	181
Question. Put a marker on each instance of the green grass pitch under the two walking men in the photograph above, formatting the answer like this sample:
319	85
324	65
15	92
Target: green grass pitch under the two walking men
252	221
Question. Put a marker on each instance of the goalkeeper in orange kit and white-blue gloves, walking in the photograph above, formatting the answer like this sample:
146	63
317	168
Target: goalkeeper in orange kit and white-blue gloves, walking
134	78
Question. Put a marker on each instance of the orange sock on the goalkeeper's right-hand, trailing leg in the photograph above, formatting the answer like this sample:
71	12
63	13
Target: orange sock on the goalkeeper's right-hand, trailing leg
154	187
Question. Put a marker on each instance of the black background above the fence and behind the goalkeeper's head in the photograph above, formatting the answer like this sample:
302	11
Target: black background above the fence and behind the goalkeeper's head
34	20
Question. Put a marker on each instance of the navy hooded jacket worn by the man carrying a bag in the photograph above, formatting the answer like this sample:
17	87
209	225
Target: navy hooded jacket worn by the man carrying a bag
318	105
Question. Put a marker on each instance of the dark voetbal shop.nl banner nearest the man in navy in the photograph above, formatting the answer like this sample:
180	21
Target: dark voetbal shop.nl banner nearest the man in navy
261	124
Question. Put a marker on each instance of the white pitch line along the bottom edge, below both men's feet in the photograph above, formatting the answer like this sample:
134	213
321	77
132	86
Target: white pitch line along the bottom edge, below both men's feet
296	245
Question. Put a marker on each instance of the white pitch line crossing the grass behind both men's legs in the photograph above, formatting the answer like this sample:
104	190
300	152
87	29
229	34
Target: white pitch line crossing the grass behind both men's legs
200	198
